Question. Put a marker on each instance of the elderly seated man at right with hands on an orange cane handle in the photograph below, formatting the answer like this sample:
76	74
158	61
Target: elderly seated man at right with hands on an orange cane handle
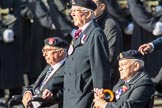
134	88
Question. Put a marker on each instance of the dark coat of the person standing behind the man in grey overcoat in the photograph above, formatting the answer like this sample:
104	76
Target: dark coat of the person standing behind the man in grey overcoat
114	37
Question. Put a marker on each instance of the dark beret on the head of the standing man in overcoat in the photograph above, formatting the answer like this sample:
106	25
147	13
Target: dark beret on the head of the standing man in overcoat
85	3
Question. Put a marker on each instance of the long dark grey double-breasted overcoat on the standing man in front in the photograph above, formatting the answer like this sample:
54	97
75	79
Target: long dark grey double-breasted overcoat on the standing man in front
86	68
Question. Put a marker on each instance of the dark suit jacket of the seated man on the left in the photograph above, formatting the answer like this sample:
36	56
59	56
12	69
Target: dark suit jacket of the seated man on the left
55	82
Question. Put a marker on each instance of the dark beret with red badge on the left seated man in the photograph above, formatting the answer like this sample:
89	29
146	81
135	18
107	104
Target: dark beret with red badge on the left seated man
56	42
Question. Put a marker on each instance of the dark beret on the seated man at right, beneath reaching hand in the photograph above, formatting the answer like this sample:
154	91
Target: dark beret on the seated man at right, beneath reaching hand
130	54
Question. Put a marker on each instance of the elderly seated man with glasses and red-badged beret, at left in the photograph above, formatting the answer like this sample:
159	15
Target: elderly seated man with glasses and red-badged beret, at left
54	52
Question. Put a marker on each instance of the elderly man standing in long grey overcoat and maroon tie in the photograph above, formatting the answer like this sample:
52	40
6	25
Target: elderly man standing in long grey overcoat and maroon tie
87	65
